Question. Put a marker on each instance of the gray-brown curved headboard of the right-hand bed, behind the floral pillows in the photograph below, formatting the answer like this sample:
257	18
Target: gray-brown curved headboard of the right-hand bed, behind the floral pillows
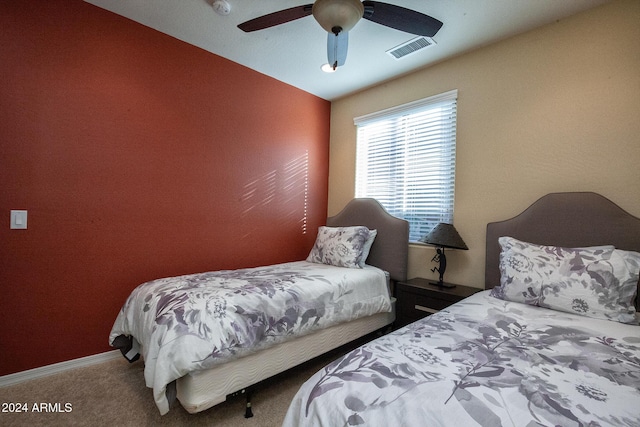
567	220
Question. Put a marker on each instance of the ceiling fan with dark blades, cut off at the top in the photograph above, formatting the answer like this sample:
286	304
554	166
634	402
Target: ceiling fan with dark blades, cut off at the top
338	17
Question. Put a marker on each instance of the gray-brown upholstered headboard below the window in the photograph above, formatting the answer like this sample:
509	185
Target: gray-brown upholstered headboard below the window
391	247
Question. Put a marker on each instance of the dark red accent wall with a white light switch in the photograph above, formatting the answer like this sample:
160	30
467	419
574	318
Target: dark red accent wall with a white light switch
137	156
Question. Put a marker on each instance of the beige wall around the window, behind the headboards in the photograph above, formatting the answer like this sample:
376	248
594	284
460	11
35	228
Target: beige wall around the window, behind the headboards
555	109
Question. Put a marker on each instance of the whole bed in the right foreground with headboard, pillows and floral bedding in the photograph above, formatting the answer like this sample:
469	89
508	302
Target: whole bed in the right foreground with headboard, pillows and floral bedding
552	341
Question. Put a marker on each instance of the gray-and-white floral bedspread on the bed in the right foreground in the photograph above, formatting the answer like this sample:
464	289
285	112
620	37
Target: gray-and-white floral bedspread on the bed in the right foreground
483	362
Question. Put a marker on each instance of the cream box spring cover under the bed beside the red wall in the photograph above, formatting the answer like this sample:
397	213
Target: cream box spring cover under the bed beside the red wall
203	389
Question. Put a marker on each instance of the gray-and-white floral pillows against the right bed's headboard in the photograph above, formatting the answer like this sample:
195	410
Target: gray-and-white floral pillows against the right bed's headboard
598	282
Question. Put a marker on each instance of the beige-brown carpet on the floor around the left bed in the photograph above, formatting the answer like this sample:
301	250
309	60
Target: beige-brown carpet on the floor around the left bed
113	394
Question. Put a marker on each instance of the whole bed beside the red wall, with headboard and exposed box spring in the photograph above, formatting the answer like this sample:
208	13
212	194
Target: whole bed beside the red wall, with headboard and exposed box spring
209	335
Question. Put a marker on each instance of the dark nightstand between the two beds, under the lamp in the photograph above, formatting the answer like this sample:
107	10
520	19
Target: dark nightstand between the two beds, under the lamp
417	298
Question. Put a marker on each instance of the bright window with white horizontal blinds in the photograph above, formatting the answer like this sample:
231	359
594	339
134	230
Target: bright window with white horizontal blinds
406	159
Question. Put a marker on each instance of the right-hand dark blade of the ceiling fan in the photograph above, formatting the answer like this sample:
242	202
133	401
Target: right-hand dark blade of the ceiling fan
401	18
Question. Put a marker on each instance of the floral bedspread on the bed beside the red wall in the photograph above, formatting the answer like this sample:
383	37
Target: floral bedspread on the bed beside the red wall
187	323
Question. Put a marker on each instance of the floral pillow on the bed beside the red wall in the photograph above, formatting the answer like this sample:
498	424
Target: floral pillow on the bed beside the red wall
342	246
